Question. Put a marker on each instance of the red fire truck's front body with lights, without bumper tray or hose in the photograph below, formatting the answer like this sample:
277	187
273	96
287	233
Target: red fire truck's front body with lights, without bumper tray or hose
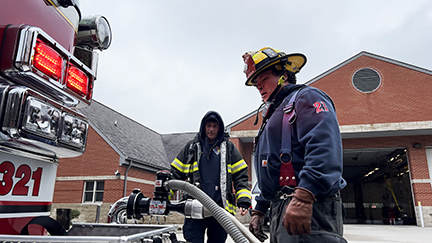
48	64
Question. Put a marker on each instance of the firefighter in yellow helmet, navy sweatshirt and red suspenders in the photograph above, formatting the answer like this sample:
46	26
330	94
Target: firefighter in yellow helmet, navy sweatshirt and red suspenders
298	153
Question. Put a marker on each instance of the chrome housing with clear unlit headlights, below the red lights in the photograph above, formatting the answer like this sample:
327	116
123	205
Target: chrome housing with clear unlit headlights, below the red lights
36	124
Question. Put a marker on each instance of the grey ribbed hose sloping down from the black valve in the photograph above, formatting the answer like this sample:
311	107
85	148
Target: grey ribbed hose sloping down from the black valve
211	205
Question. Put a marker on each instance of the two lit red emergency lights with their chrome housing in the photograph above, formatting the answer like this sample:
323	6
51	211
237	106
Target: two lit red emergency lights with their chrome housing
44	65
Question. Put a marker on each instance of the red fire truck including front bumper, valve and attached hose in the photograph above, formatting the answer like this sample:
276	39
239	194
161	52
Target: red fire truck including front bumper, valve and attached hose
48	65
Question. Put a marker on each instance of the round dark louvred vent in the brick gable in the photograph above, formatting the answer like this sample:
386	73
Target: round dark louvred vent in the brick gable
366	80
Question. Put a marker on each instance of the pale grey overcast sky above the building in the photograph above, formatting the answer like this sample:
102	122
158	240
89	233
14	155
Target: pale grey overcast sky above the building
171	61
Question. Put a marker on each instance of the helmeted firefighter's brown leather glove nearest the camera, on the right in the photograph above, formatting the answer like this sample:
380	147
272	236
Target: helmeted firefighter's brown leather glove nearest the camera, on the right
298	213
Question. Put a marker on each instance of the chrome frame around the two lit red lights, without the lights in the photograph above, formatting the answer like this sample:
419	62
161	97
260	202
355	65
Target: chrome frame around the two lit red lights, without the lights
24	72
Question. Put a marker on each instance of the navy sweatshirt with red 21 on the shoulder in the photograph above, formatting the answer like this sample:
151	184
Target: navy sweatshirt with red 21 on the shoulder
315	145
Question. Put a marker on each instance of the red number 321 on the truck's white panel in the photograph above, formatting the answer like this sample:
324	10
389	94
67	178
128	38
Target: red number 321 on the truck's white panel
23	172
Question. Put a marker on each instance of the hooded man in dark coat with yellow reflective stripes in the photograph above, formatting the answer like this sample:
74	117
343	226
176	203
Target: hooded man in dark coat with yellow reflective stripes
213	163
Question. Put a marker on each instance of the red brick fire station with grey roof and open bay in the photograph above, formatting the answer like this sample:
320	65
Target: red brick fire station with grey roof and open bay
386	129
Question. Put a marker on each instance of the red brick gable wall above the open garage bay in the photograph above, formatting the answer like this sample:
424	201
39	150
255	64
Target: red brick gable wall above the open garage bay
398	99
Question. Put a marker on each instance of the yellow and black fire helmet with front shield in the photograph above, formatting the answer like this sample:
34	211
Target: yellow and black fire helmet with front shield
258	61
